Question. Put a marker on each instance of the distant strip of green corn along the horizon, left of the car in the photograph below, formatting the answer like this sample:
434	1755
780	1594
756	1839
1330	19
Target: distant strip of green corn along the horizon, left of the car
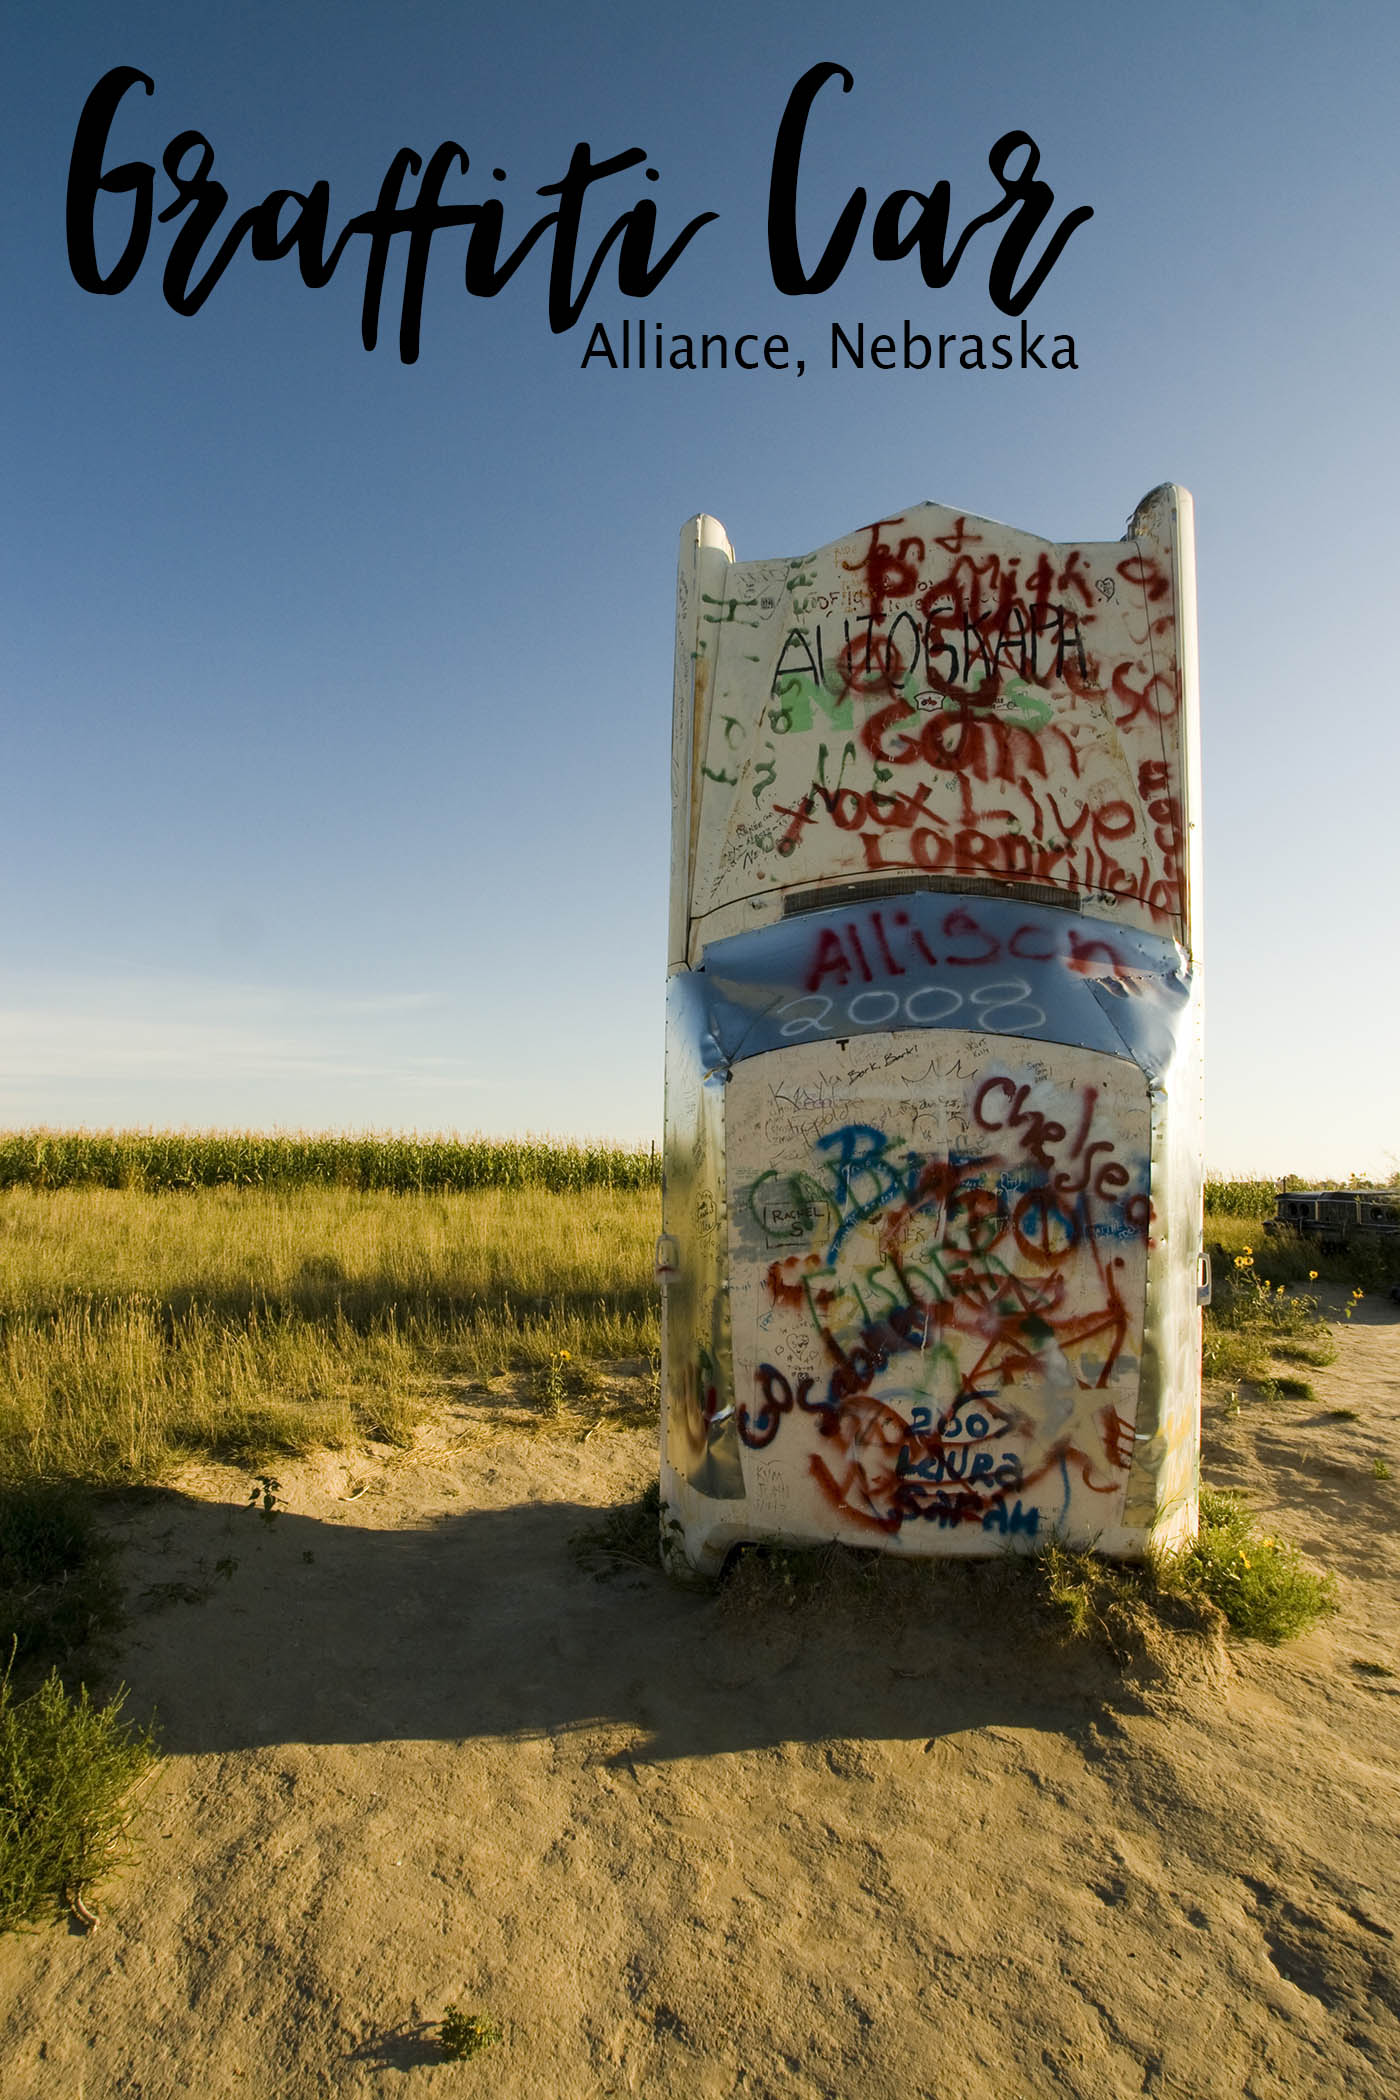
310	1160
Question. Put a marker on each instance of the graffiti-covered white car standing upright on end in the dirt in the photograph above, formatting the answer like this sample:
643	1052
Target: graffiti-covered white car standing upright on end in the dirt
933	1152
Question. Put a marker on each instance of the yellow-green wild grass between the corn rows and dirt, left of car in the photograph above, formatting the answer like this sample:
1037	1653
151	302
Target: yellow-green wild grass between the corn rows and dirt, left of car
137	1328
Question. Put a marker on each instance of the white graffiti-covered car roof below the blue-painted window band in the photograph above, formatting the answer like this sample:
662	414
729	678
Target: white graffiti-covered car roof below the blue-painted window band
937	1284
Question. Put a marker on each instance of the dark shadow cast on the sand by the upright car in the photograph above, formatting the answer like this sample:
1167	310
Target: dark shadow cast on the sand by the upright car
484	1624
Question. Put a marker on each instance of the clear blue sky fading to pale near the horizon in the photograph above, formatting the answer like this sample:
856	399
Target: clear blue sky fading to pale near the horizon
339	690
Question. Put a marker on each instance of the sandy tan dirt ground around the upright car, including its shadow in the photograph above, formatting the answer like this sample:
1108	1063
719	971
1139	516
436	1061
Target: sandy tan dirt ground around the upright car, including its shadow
417	1757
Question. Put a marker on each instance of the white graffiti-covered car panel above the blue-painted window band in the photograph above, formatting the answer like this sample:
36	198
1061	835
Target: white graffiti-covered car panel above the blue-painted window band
952	698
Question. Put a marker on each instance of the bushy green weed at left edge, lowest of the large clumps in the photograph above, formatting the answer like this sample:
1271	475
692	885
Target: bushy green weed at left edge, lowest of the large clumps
66	1773
